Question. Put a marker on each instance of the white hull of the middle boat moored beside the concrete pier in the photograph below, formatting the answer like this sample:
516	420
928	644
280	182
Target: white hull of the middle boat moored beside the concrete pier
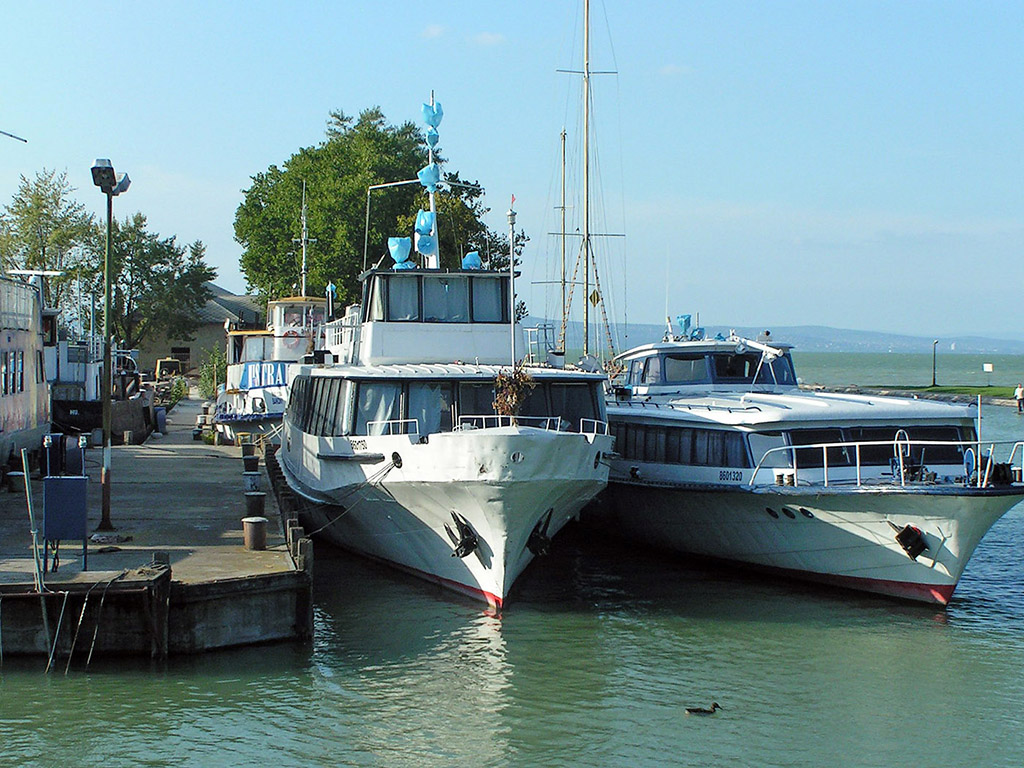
397	500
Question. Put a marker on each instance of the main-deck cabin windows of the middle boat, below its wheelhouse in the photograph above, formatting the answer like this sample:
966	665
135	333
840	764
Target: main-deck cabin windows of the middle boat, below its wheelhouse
321	405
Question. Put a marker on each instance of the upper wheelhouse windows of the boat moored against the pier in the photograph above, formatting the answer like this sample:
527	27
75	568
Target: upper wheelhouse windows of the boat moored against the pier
439	298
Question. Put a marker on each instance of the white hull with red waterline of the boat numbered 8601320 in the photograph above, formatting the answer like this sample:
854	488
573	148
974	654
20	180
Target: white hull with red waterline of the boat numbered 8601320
843	537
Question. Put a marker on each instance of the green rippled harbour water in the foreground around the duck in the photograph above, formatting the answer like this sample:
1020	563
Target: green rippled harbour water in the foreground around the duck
593	663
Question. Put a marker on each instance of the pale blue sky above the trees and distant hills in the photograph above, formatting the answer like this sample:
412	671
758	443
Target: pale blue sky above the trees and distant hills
850	164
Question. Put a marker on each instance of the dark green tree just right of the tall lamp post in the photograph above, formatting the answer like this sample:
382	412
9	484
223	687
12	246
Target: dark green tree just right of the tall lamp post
158	287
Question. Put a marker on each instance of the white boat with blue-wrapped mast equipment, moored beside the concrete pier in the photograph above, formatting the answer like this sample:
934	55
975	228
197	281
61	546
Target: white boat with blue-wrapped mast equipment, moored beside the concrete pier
397	439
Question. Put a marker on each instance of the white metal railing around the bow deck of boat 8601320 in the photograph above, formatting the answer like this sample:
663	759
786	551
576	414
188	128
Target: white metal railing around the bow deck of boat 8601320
905	465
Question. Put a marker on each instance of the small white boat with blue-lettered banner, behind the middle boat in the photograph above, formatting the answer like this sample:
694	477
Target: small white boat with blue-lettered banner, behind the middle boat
252	401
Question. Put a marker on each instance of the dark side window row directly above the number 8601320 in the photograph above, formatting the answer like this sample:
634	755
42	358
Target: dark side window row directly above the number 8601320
706	448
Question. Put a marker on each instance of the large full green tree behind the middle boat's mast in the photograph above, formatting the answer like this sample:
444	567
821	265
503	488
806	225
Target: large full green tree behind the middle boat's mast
356	155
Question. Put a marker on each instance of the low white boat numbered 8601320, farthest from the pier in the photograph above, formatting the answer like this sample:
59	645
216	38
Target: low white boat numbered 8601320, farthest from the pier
721	455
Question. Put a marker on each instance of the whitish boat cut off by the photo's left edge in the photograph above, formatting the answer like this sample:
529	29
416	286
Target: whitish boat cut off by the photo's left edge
25	398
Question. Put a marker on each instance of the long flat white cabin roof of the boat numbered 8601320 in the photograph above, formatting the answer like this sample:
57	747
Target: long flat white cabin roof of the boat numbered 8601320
793	408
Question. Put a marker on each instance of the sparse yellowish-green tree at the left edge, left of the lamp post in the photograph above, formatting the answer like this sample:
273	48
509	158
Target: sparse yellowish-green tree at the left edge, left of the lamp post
45	228
